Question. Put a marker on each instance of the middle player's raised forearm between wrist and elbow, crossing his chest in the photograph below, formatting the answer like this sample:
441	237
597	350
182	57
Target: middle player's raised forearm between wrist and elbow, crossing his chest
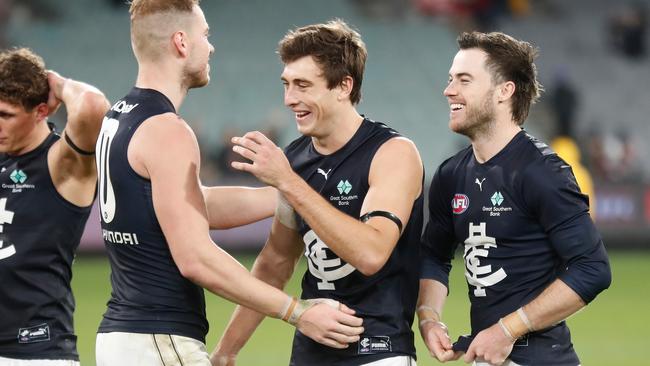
359	244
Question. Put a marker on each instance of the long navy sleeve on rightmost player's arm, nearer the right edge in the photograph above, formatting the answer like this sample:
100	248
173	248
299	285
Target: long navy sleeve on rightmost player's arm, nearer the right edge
552	194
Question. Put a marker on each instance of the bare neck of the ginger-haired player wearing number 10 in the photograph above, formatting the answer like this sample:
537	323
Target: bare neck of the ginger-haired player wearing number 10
159	78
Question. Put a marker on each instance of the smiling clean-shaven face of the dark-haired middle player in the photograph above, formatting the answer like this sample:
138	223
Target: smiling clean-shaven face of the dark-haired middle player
307	95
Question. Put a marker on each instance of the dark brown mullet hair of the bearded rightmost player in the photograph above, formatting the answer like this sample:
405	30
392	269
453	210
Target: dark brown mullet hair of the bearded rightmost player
509	60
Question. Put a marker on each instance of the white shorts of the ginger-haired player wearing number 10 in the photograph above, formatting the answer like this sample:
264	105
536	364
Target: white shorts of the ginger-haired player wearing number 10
135	349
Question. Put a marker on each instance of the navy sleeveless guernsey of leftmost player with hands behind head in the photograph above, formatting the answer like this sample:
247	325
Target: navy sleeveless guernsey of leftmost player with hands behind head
39	233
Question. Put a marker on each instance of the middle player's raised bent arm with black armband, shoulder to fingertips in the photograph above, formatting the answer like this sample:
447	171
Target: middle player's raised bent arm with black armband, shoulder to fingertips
366	246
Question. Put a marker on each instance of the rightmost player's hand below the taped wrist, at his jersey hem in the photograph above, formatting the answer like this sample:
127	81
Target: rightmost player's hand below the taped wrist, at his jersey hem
491	345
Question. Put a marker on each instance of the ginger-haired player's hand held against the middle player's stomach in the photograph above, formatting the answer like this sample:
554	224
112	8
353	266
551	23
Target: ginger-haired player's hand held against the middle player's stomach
330	323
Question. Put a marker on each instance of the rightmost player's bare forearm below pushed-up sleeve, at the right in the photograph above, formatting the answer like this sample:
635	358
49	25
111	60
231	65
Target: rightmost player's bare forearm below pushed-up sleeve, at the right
556	303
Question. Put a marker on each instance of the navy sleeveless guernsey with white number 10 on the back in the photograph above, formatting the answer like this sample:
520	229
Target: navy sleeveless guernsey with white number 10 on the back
149	294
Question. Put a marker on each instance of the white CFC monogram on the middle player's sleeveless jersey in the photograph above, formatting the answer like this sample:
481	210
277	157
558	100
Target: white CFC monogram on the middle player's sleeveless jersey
321	267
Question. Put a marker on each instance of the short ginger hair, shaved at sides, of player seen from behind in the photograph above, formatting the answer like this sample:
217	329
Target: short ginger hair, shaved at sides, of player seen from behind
150	22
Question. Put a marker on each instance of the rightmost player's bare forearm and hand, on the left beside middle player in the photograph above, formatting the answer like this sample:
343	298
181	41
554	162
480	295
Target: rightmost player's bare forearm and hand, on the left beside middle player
431	301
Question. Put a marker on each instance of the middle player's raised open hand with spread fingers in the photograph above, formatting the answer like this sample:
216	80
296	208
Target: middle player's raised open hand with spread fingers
268	162
